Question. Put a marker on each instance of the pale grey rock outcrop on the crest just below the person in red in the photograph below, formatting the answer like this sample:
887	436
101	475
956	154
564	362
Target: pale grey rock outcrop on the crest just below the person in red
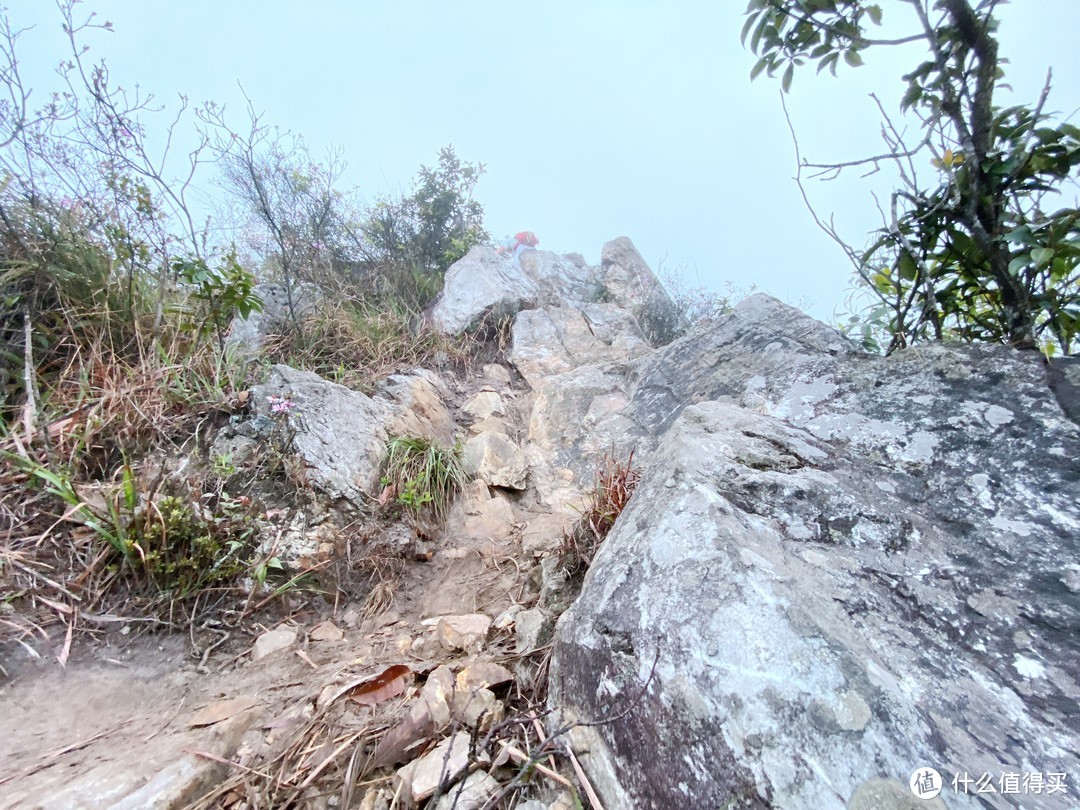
484	287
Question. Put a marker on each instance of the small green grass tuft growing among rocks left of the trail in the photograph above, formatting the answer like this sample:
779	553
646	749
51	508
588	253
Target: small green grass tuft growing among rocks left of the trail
422	476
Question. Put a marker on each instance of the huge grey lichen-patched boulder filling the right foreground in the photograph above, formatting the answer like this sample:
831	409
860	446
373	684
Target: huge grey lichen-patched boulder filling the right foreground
838	570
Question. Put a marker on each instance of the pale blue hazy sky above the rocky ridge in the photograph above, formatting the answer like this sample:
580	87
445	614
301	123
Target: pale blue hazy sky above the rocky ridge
595	120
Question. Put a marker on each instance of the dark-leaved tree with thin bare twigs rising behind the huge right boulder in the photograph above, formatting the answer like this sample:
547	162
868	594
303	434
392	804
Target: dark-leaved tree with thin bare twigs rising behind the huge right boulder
989	248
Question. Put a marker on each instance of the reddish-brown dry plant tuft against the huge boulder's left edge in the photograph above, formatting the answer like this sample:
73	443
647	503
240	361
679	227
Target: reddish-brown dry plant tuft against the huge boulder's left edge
616	482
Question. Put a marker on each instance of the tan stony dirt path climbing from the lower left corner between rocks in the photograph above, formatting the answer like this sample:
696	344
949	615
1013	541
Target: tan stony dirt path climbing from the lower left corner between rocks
140	723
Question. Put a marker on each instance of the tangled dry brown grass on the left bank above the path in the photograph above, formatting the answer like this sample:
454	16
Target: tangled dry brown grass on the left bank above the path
100	402
